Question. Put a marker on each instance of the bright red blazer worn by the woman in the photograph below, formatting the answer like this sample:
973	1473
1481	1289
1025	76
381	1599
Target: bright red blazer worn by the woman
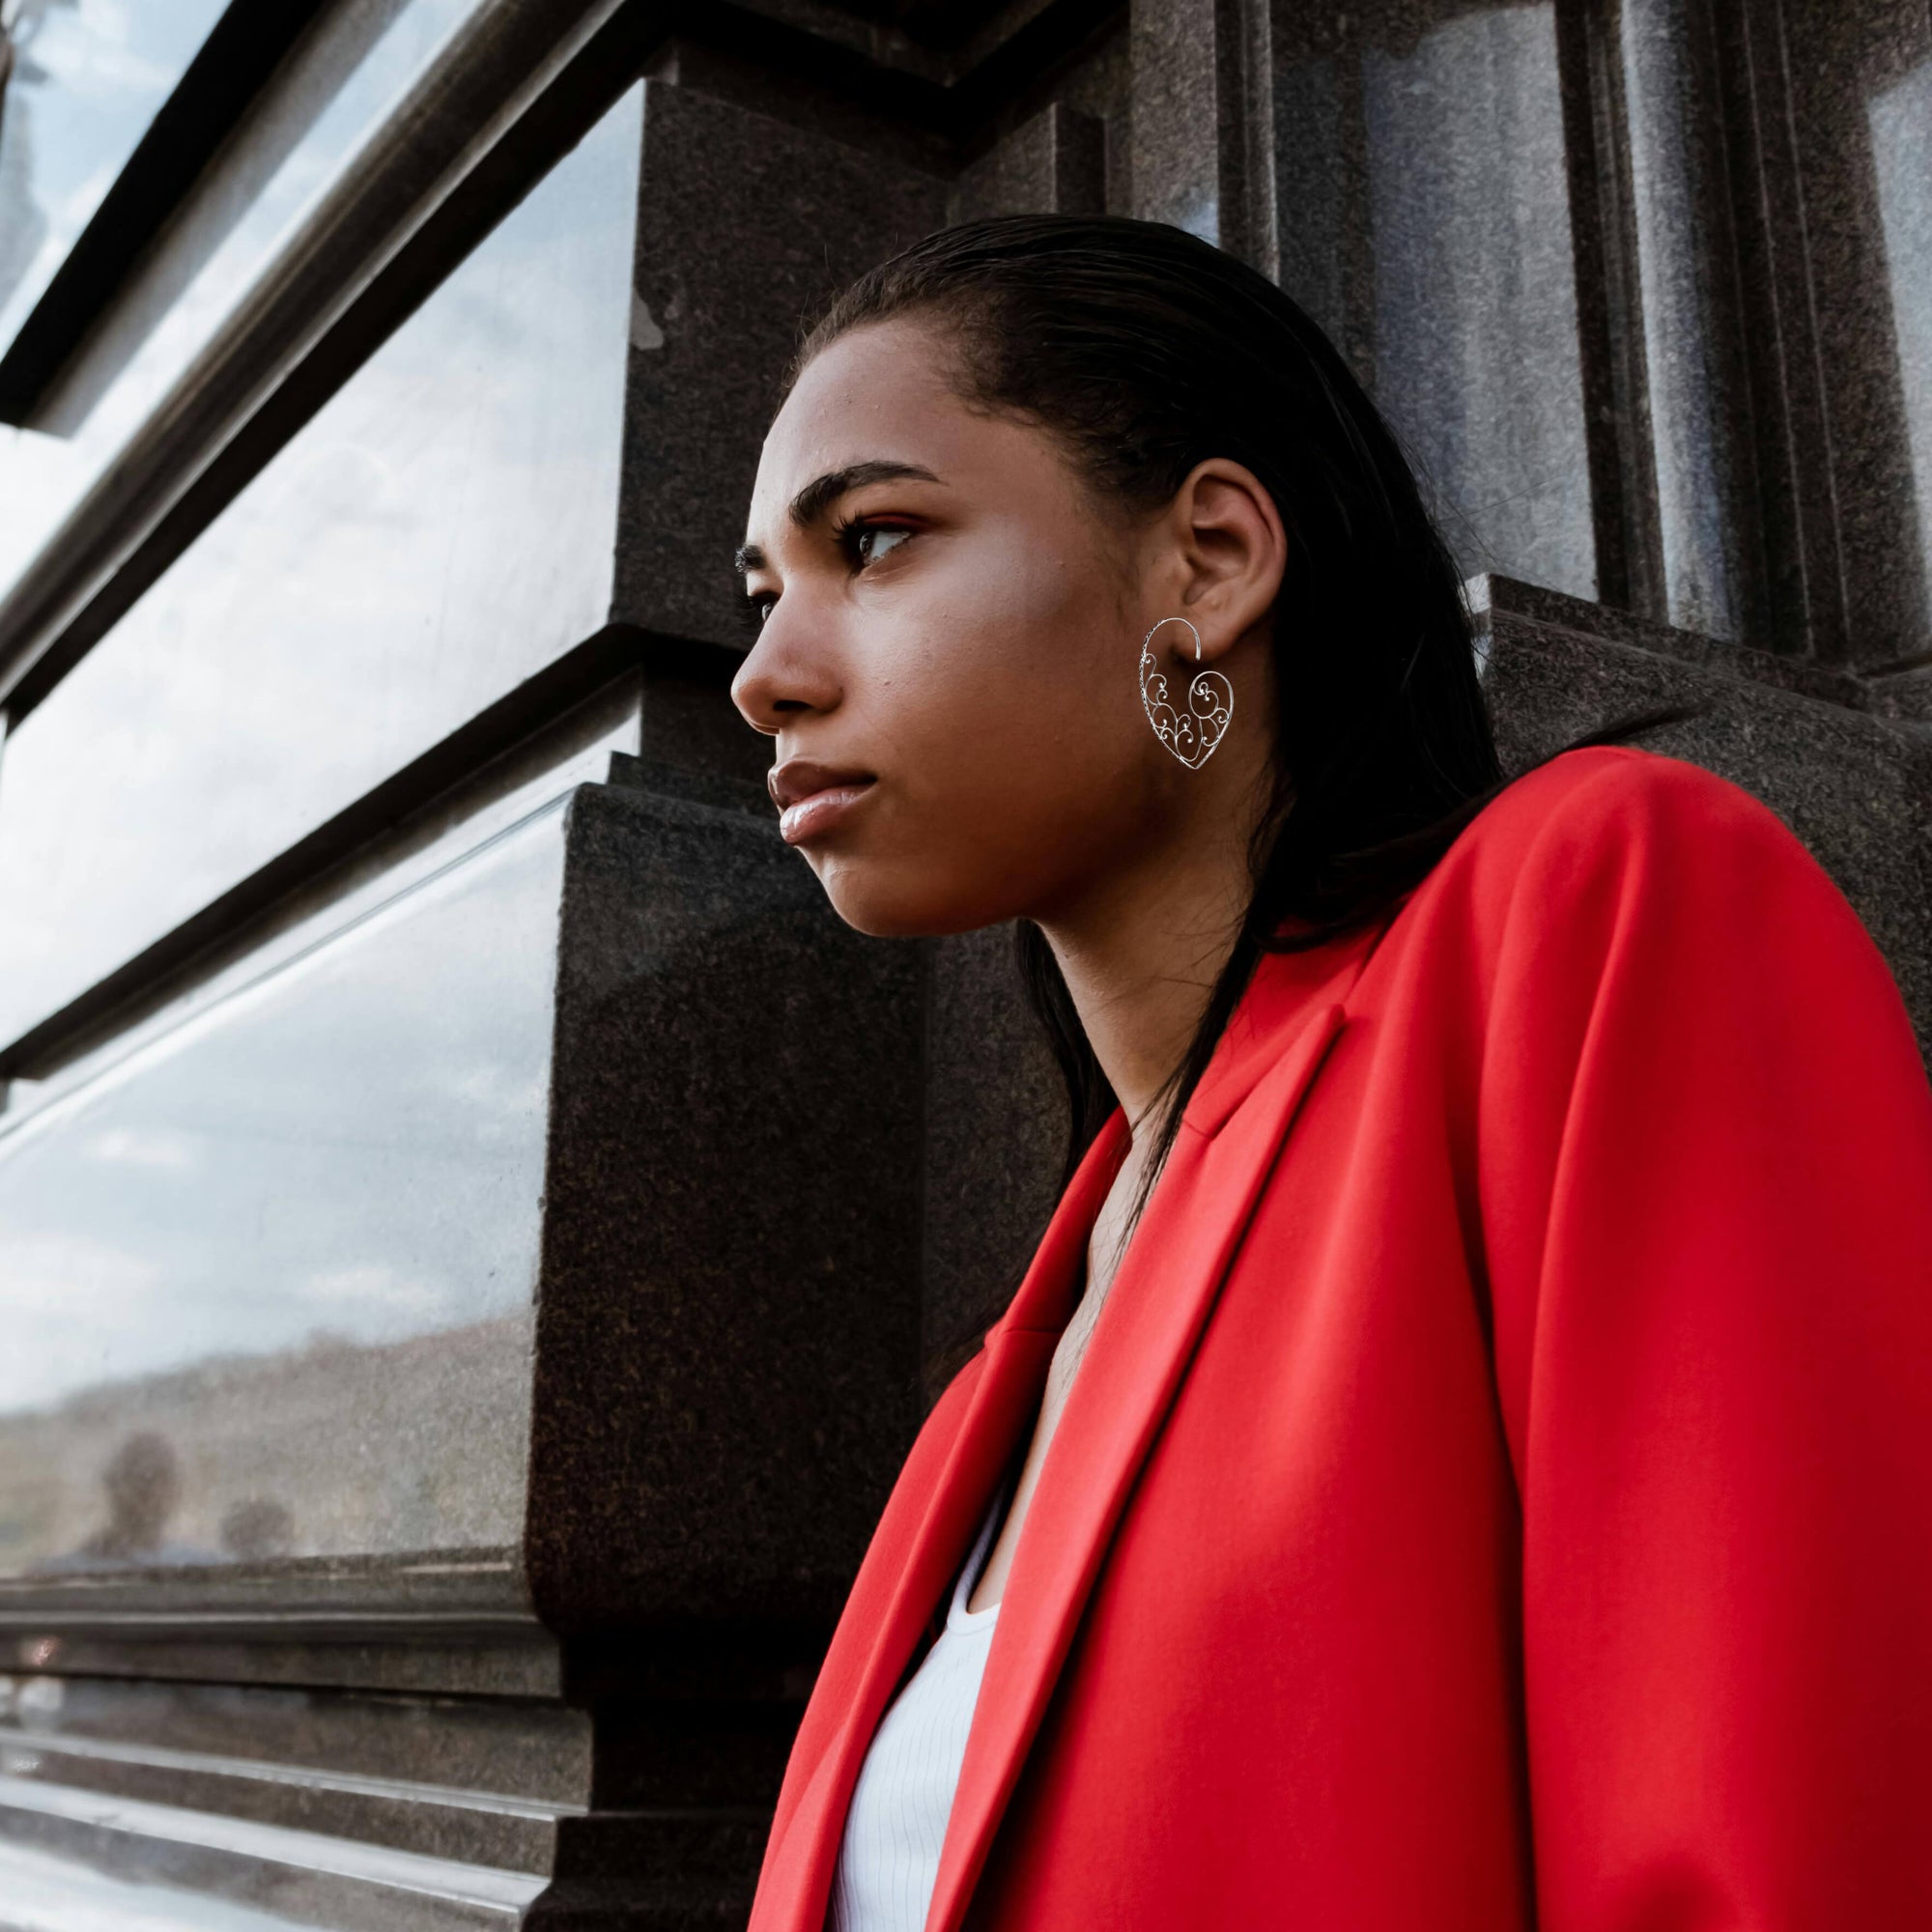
1500	1487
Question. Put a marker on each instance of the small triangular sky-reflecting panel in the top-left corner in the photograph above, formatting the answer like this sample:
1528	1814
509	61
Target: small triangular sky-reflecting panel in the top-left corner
88	80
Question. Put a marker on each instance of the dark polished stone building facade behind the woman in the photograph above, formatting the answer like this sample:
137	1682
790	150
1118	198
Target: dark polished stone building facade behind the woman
476	1234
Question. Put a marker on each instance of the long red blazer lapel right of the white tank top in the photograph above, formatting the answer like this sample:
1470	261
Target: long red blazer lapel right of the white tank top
1135	1365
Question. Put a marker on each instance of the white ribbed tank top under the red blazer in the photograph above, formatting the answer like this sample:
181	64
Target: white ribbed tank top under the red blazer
890	1856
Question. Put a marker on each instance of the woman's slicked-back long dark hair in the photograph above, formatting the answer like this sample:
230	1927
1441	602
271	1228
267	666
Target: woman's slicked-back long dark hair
1145	351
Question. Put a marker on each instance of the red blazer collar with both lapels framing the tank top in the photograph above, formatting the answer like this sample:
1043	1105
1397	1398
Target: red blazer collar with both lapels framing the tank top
1158	1305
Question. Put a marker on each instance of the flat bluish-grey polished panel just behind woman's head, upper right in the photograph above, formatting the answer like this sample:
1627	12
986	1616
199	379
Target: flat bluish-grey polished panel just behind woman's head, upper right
1425	223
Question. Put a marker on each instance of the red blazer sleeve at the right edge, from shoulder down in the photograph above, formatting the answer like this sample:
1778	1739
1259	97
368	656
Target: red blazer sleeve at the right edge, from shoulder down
1705	1174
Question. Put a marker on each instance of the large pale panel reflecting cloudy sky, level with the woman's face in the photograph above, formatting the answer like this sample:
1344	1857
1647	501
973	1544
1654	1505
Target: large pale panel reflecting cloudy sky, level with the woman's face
440	532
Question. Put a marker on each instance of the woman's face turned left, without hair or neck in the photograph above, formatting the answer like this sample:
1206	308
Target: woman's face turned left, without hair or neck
950	654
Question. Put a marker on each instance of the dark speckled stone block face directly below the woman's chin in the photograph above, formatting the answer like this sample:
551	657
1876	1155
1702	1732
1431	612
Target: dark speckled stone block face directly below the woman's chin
727	1332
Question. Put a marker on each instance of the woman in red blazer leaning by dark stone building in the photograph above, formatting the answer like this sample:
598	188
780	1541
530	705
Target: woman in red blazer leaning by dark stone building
1460	1458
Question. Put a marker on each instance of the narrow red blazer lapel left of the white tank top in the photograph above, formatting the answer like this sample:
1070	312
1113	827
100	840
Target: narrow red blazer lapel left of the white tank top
797	1883
